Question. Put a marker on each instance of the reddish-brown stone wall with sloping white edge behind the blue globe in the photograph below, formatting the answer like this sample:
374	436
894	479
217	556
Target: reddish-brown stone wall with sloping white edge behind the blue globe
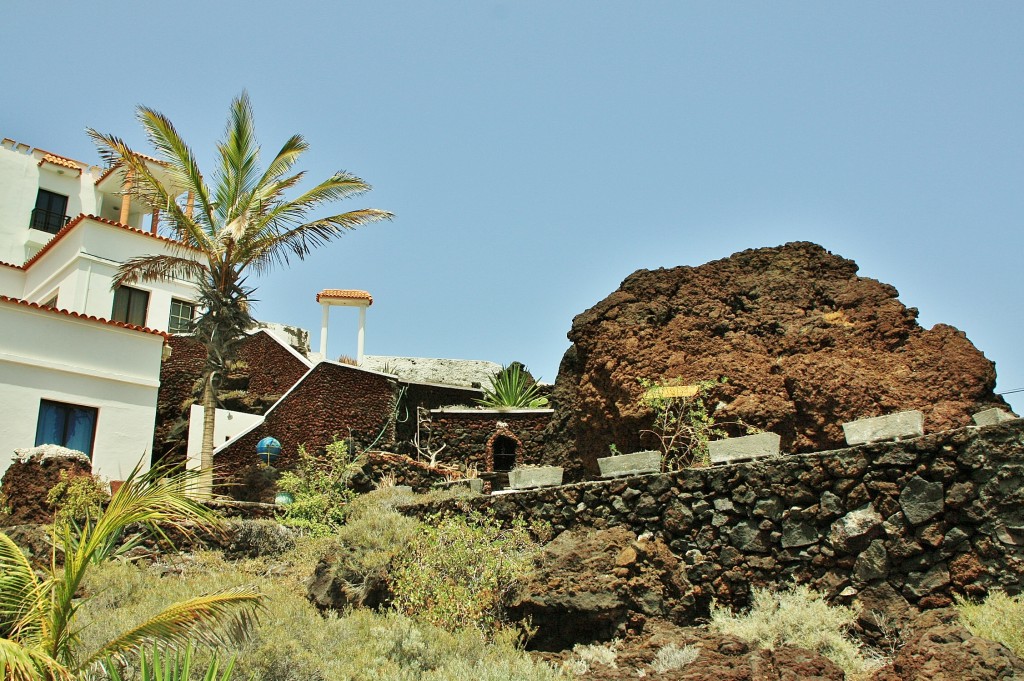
332	400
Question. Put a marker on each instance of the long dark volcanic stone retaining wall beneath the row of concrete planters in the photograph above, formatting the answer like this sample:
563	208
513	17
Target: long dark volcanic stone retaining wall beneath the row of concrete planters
920	521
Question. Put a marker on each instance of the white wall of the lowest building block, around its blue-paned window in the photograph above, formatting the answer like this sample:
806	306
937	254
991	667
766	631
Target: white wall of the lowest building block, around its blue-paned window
51	356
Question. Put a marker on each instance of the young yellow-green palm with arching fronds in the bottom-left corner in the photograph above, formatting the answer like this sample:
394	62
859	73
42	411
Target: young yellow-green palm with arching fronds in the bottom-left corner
38	634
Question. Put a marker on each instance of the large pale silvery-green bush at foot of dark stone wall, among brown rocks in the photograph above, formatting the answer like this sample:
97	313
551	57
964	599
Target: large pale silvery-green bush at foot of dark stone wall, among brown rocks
798	617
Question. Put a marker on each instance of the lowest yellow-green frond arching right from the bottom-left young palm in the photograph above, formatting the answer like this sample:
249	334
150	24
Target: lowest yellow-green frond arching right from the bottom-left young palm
220	619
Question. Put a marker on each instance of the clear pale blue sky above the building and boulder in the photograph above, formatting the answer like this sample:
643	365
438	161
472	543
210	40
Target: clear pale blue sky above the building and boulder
538	153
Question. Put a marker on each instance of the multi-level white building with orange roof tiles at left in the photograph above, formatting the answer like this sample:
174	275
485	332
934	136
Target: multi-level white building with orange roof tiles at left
79	361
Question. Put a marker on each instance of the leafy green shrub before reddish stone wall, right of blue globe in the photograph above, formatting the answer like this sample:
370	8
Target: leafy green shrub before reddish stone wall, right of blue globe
320	488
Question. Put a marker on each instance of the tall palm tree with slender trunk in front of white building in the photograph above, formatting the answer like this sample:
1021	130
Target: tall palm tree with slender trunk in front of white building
241	225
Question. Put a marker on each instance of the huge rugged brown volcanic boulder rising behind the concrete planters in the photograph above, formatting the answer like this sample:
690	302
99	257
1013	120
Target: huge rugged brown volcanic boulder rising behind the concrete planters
805	344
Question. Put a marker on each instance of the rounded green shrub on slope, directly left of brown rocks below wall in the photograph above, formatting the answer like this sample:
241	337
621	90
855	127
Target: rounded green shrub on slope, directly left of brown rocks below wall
458	572
